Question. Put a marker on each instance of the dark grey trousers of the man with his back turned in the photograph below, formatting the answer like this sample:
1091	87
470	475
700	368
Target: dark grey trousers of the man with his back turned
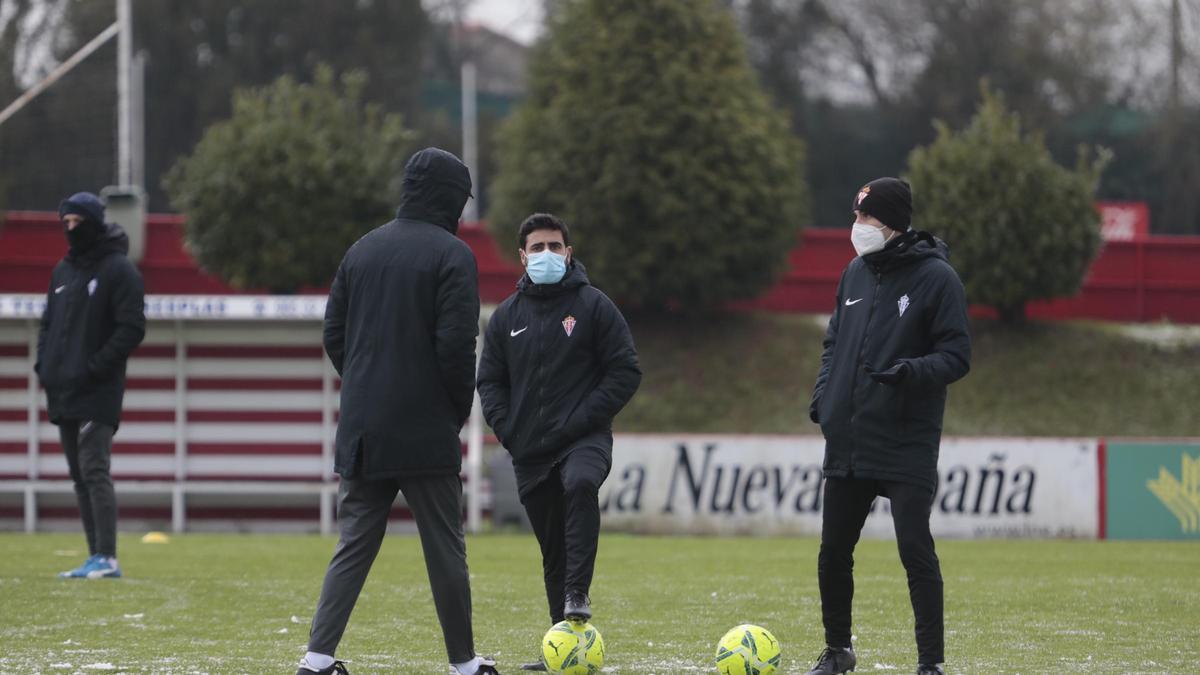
363	509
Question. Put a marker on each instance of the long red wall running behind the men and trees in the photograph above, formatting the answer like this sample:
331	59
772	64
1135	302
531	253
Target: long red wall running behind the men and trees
1141	279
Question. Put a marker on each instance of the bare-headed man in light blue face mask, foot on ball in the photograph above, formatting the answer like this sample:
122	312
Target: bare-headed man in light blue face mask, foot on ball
559	365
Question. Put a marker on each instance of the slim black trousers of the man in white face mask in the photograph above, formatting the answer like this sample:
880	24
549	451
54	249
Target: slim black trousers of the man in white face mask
848	503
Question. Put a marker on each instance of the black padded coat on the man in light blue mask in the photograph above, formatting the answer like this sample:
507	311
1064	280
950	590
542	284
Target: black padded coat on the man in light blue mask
559	365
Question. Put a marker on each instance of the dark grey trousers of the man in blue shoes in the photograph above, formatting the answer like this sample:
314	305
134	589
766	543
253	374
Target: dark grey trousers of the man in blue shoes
89	451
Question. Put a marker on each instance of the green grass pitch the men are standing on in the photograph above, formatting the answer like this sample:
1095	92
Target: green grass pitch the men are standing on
241	605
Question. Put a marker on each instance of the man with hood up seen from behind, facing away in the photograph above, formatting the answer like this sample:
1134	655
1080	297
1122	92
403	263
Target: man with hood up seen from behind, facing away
400	328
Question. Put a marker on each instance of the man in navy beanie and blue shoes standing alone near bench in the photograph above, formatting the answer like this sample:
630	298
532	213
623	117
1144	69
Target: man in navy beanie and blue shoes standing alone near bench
94	319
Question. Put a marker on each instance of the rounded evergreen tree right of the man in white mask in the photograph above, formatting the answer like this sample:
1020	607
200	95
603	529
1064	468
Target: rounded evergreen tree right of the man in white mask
1021	228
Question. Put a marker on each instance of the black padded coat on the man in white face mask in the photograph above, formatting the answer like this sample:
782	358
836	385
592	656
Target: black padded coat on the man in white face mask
902	304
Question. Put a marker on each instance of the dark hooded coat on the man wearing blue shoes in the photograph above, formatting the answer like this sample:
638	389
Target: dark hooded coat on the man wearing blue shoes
94	319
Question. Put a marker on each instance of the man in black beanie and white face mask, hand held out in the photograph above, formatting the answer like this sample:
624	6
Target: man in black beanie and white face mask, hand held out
898	337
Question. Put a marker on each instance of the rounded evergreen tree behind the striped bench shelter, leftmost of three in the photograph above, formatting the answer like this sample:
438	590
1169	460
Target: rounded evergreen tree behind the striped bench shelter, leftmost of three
277	194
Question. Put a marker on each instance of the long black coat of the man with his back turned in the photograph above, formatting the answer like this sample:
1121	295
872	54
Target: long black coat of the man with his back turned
400	328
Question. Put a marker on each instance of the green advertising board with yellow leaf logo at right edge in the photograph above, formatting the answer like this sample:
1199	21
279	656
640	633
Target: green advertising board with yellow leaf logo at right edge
1153	491
